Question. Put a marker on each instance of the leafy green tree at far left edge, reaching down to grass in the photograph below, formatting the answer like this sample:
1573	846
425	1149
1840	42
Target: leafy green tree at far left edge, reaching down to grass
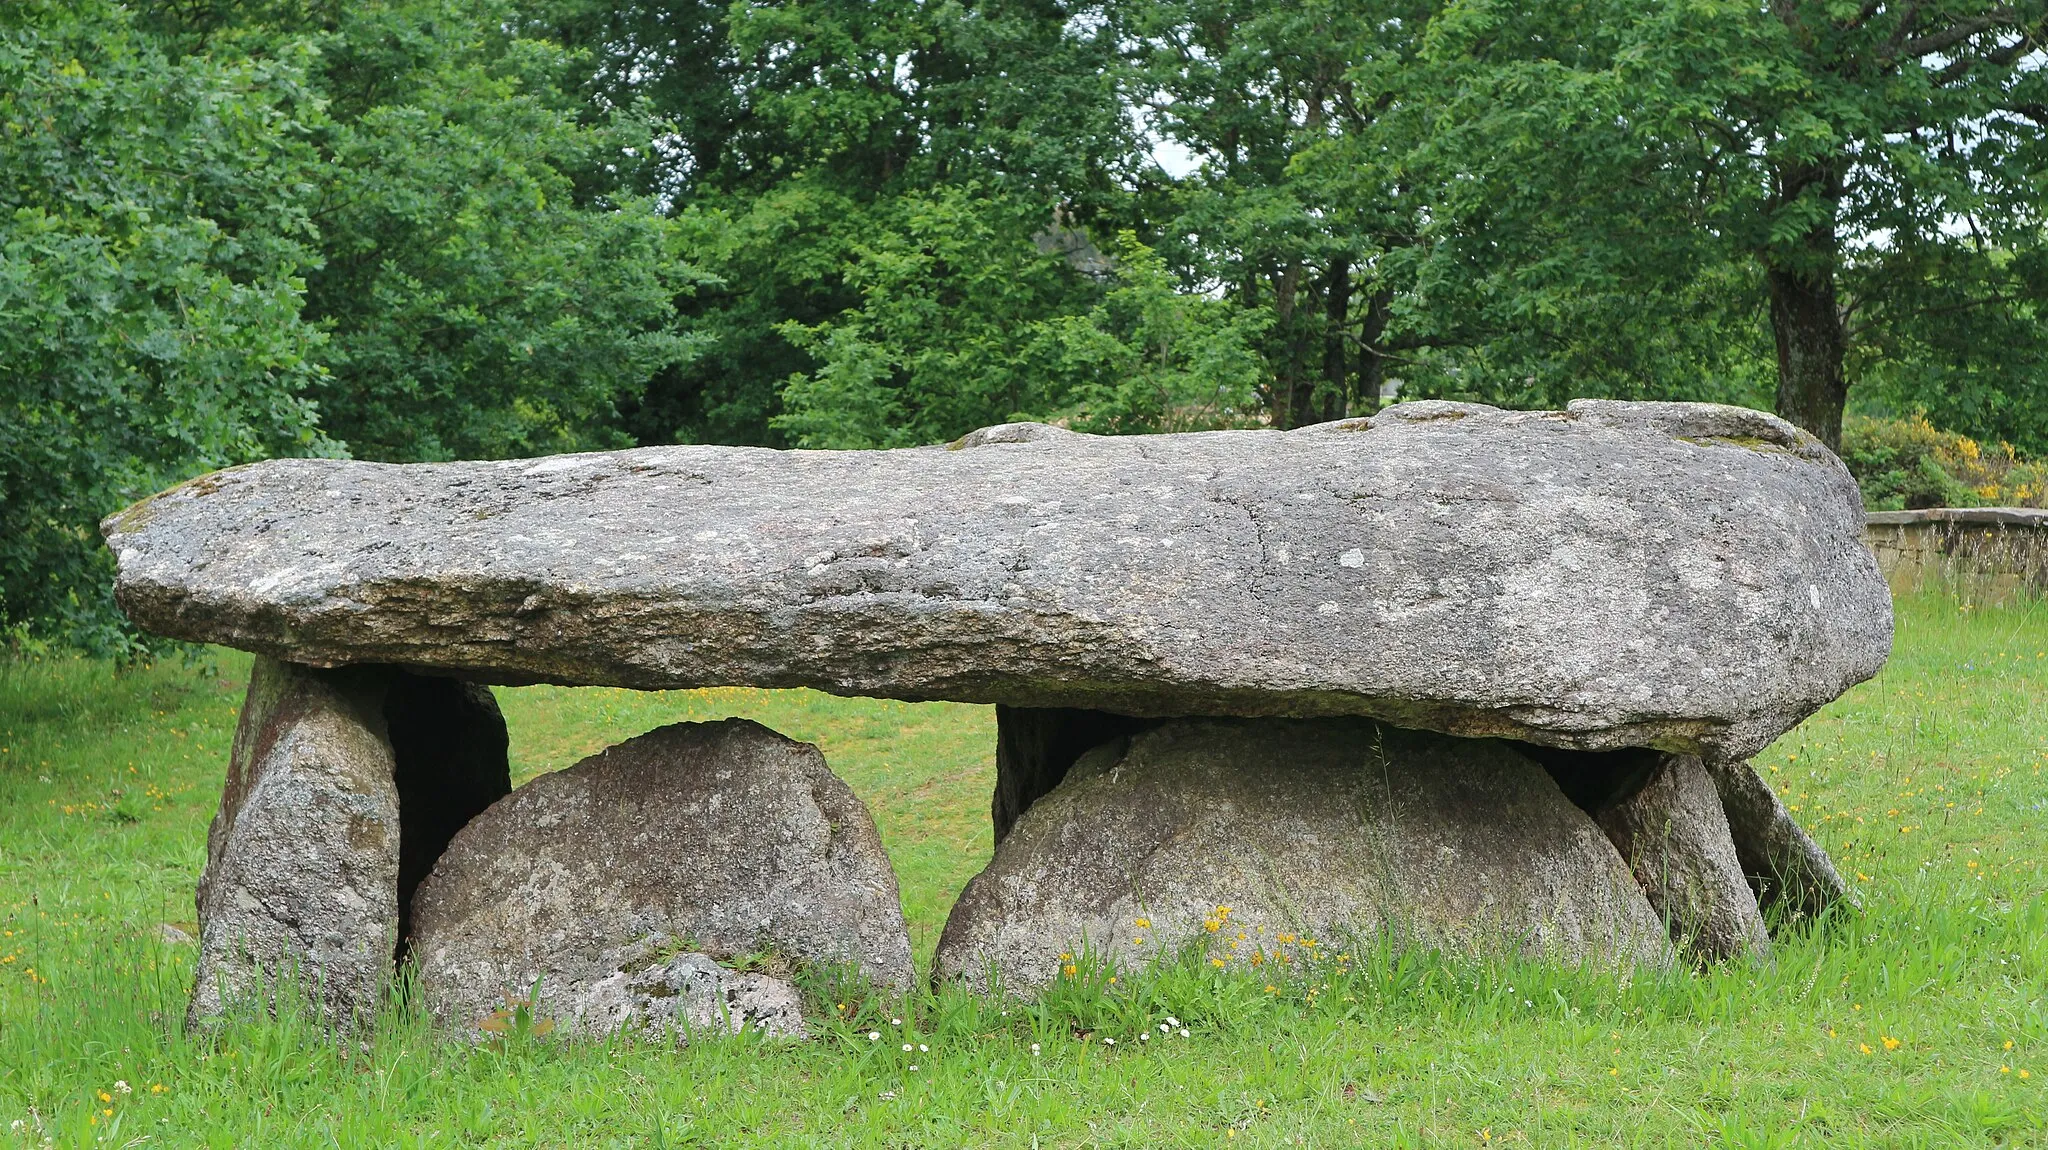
155	232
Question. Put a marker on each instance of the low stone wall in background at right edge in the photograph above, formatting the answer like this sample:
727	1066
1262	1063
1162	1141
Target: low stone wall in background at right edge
1981	554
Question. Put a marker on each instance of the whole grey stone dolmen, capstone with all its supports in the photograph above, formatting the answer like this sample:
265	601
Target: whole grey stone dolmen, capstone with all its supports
1447	676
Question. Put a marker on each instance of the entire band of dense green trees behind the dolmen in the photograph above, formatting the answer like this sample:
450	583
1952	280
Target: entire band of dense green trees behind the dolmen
482	228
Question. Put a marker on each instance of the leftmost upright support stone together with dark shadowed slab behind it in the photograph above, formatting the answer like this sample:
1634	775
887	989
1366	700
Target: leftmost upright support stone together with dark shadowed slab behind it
308	854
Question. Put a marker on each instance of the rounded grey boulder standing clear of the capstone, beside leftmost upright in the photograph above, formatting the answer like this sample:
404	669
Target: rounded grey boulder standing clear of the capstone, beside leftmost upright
628	883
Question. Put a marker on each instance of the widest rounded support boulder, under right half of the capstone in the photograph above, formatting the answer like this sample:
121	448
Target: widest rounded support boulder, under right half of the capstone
1332	830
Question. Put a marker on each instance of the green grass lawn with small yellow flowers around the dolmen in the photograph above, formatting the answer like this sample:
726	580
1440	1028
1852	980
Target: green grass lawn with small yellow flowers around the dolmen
1926	785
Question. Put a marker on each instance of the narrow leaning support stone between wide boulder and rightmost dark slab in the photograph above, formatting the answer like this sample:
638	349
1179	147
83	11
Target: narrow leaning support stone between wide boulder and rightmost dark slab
1674	838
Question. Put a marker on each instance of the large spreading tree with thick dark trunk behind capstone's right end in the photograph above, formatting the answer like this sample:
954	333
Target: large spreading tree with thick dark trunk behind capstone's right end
1828	144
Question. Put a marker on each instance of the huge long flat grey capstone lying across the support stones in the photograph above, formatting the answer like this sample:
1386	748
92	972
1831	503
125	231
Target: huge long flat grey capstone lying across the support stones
1666	576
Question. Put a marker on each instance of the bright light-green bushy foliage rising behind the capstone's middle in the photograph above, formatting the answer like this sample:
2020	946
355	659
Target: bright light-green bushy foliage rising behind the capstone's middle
959	328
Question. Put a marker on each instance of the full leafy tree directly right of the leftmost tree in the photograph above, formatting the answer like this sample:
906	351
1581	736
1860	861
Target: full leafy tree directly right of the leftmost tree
478	306
